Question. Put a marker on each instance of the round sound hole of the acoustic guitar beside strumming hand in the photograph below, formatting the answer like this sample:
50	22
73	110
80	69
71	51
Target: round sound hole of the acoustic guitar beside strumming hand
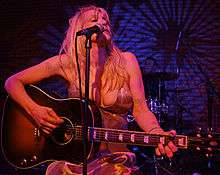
63	134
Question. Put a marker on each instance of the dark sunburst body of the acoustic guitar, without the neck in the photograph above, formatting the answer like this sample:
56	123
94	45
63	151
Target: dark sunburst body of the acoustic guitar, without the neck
25	146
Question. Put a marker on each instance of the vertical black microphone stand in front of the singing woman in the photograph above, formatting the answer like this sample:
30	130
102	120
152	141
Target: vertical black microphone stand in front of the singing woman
88	46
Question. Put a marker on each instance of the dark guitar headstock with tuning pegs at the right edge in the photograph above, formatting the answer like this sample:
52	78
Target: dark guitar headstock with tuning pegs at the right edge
206	141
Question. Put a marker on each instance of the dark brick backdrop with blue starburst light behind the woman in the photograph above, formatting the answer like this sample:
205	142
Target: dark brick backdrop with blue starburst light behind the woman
166	36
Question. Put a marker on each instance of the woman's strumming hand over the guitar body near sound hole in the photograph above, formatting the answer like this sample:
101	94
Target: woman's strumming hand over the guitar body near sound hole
45	118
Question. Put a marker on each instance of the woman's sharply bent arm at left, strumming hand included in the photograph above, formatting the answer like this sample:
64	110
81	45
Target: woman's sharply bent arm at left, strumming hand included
14	85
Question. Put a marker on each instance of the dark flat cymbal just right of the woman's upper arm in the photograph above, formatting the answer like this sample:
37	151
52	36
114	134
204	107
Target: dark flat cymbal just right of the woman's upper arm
164	76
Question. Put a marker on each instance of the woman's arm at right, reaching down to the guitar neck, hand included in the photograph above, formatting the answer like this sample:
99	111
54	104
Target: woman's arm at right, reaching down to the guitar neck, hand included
143	116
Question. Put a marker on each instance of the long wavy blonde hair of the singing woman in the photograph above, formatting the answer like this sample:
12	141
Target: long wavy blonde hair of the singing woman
114	70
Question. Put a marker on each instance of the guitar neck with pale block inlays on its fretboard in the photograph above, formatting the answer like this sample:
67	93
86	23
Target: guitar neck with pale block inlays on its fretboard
130	137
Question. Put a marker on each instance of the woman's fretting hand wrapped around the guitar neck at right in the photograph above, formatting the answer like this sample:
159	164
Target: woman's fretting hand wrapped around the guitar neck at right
168	149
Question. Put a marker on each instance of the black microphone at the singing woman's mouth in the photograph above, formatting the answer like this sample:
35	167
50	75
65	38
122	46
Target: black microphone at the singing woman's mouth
91	30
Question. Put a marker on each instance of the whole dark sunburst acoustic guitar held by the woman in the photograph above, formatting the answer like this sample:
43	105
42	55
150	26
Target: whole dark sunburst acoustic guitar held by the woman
24	146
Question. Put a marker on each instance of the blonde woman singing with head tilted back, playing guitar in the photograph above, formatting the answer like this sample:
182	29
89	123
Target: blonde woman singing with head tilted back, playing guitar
115	85
